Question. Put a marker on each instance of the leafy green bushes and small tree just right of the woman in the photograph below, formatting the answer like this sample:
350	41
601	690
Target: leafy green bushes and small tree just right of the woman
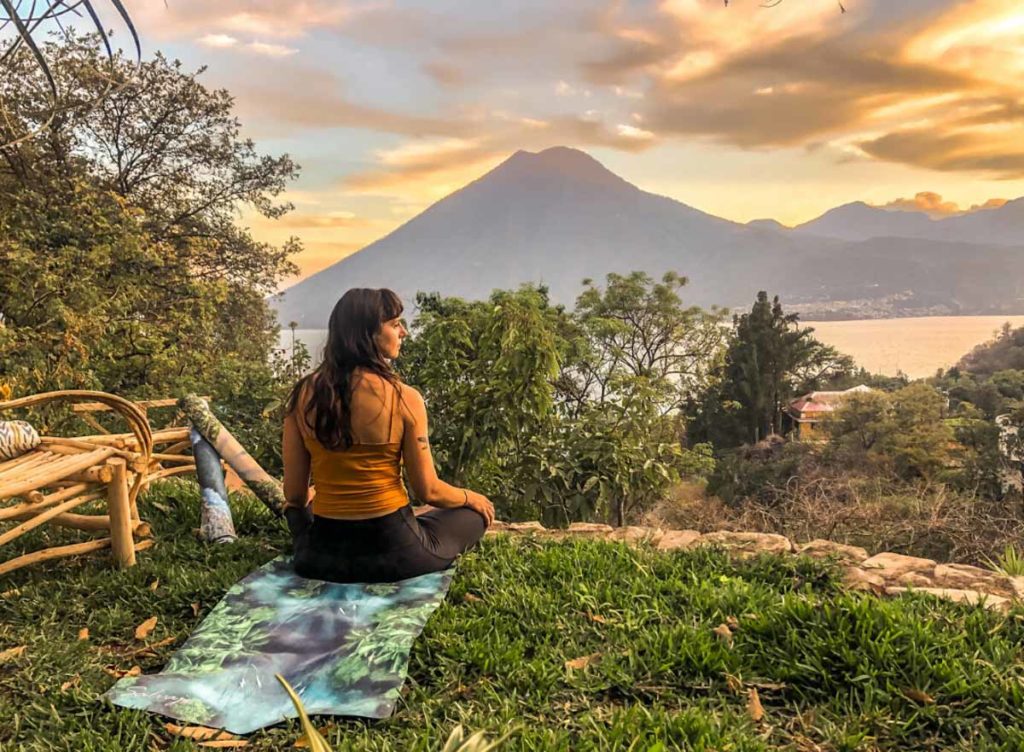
564	416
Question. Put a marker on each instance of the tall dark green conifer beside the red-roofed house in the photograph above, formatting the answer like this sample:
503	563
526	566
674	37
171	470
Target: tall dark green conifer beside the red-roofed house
770	360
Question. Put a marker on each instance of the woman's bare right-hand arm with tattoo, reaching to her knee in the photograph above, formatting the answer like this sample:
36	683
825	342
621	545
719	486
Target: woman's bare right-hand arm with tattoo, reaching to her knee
420	463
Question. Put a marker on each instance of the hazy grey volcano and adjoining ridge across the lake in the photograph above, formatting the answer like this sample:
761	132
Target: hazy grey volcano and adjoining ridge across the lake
560	217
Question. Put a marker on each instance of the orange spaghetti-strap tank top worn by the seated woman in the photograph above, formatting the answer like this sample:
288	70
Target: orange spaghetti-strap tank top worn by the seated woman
362	482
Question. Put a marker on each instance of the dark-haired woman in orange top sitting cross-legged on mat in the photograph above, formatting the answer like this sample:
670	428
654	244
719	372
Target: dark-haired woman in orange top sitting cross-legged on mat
351	425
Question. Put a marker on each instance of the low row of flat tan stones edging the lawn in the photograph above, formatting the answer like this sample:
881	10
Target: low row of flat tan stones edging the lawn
883	574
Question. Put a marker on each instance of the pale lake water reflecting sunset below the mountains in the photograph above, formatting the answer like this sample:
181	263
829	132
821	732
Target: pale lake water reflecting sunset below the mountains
916	347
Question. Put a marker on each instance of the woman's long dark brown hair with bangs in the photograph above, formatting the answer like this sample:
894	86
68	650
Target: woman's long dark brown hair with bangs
351	345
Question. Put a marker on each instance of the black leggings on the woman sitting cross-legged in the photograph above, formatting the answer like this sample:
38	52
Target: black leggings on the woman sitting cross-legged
389	549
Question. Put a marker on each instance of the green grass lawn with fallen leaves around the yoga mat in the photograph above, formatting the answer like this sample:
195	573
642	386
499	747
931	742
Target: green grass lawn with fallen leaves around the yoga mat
833	671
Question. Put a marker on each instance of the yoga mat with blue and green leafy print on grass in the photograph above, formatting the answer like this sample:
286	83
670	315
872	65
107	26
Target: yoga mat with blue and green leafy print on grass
344	648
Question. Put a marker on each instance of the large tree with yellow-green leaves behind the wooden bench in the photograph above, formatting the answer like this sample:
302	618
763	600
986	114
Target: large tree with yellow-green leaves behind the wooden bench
122	267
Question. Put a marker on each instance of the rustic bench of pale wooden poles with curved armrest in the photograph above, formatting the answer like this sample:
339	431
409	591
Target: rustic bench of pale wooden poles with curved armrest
63	475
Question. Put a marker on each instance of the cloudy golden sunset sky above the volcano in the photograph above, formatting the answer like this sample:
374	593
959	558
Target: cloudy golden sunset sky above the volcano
741	111
